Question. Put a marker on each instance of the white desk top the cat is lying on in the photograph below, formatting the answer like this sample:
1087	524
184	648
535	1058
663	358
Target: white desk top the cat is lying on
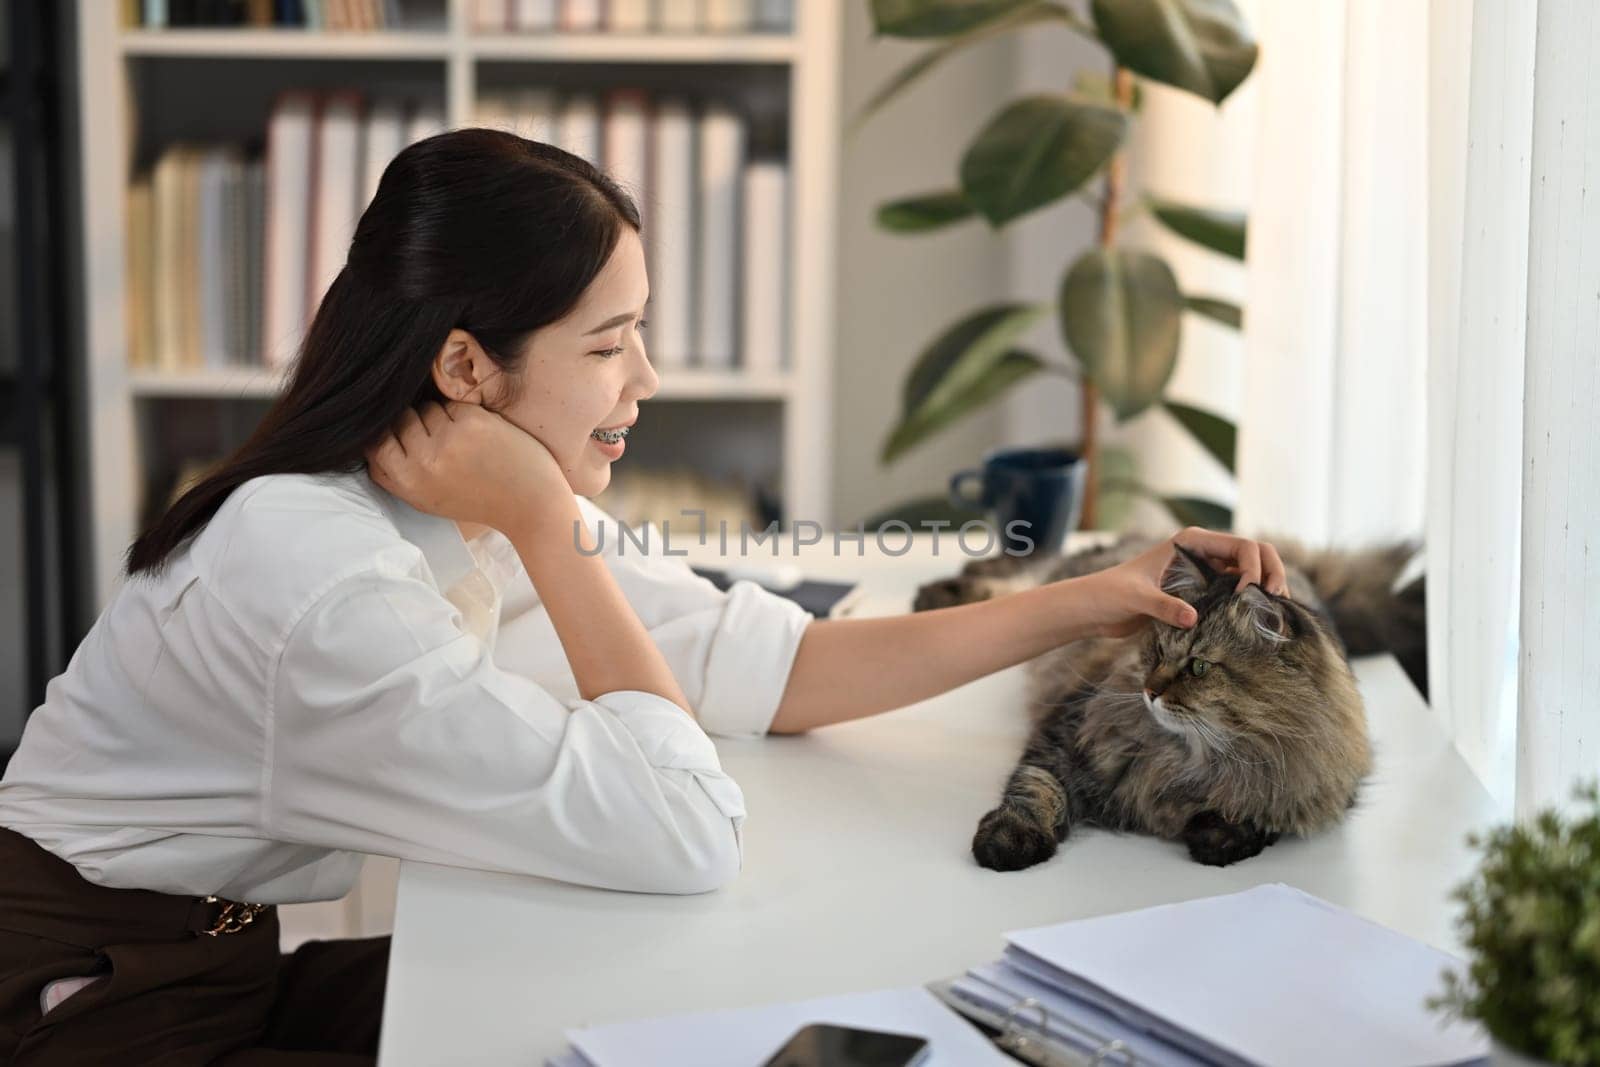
858	876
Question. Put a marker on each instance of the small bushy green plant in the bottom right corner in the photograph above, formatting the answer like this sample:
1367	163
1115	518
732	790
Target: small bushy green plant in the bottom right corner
1532	925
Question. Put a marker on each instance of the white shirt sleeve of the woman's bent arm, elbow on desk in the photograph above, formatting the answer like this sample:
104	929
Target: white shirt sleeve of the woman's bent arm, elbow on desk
393	732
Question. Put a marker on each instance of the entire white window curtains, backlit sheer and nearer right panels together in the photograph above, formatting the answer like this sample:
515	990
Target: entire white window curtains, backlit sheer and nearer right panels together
1425	330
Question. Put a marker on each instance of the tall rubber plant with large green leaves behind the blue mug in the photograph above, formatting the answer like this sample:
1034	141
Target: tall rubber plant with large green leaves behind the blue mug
1119	310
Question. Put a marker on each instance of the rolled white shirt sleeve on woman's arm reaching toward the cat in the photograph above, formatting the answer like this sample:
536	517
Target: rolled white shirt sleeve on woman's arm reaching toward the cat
730	650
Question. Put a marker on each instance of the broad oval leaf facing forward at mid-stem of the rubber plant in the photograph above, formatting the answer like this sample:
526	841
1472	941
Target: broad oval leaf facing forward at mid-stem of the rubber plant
1121	313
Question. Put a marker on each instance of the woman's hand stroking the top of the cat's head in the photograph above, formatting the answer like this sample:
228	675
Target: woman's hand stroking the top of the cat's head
1122	597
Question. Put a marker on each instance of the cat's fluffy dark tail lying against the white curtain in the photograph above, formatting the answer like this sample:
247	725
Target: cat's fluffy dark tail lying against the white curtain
1374	602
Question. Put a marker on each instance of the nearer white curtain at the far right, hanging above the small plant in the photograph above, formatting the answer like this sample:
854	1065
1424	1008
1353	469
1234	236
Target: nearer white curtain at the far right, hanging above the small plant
1514	498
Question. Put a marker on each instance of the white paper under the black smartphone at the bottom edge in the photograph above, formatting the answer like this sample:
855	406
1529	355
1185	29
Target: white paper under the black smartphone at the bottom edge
750	1037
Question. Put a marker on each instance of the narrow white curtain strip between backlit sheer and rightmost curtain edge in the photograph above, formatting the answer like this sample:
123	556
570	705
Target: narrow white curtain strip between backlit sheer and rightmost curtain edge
1482	106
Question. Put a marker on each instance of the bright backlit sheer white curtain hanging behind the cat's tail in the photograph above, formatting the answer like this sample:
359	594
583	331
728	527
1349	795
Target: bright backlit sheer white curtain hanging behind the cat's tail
1334	434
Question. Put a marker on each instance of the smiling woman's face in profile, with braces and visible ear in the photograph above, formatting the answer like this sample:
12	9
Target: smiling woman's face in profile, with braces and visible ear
582	374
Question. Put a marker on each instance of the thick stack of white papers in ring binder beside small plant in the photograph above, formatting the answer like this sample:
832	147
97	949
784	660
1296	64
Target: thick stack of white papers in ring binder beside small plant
1260	978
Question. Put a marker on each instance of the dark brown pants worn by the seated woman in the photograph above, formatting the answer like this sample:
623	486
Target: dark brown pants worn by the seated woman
170	993
